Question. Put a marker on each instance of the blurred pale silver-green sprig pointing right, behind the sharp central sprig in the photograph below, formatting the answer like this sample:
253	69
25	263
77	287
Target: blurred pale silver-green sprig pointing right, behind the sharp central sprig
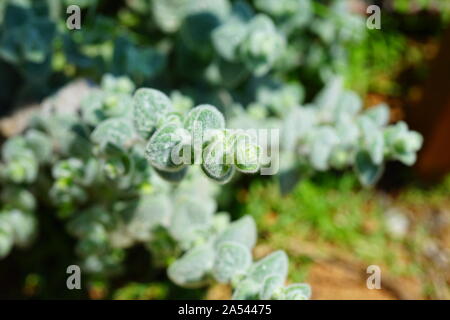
333	132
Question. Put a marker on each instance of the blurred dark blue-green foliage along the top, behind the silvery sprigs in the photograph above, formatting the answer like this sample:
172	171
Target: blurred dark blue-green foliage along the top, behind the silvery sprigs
159	43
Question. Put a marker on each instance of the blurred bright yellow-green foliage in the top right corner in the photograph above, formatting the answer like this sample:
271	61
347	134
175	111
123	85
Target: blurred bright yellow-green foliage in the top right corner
395	58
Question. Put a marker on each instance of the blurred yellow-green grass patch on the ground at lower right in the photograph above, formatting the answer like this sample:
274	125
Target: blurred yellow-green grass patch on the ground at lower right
335	215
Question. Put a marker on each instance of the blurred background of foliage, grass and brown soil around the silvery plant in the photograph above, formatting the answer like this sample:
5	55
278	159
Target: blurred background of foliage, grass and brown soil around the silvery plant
331	227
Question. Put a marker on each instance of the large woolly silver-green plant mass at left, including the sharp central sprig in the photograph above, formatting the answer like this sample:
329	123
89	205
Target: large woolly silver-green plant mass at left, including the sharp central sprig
112	172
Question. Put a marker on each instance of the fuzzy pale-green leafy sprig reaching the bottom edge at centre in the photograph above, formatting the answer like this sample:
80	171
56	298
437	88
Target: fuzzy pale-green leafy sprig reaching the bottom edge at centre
227	258
